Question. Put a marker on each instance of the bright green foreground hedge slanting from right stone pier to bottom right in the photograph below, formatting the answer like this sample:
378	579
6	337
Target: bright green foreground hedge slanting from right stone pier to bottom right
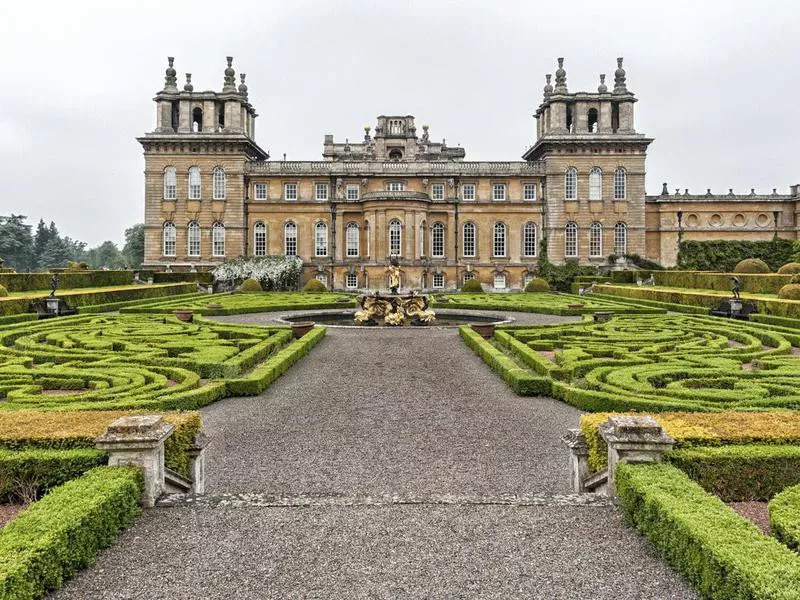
721	554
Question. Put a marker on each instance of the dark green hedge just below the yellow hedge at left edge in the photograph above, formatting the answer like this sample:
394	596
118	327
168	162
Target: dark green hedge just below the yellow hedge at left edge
26	474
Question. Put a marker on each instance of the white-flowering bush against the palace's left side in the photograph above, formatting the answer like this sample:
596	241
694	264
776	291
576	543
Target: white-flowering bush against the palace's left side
272	272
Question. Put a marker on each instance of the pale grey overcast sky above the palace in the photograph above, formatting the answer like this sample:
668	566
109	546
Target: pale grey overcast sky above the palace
717	82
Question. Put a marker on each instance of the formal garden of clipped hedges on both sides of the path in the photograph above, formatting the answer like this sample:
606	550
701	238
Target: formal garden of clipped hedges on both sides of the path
722	508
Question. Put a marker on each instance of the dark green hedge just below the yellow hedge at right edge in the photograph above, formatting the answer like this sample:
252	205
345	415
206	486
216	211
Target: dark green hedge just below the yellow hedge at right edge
741	473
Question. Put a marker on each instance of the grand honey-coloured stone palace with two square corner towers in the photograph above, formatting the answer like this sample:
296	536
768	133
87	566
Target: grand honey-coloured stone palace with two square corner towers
212	194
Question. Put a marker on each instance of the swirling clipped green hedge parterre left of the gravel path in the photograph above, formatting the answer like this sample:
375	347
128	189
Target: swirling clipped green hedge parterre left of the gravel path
113	362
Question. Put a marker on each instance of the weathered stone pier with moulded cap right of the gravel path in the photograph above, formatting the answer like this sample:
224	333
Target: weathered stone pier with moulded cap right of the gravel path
635	440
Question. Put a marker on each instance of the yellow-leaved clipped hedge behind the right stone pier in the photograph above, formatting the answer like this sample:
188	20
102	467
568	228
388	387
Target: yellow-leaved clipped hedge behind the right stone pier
704	429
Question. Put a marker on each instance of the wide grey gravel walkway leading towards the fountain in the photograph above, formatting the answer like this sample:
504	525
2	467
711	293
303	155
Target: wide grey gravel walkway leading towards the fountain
387	464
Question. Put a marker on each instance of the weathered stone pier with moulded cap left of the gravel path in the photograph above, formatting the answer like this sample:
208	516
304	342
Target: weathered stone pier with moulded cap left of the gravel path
139	441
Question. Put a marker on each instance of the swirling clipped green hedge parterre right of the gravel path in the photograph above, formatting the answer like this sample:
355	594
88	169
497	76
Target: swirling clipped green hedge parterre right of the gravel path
655	363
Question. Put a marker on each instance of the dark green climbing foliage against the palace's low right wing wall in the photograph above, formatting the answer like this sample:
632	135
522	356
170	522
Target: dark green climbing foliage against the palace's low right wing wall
723	255
